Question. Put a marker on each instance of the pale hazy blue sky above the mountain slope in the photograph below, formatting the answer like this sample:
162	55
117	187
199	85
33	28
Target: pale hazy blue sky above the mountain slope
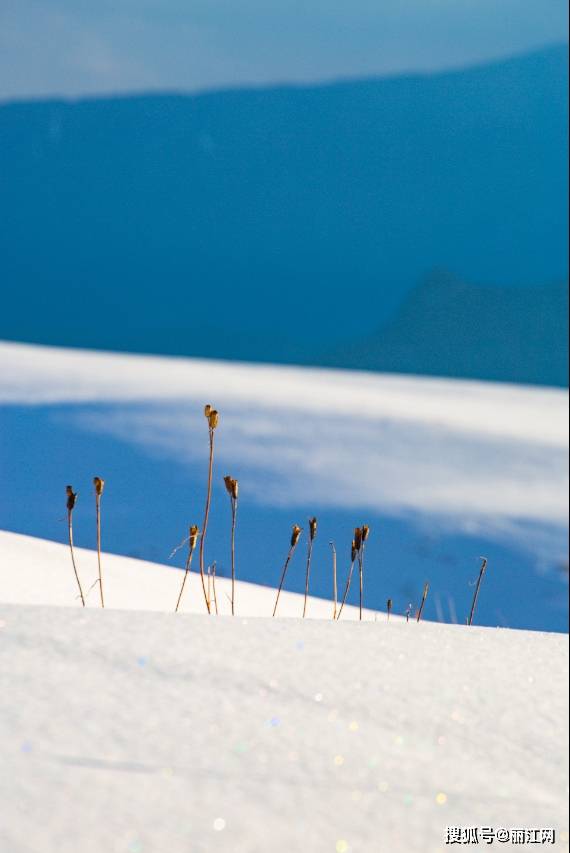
75	47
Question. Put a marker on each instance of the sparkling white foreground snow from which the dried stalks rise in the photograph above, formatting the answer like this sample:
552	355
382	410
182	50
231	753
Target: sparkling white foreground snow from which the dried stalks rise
141	732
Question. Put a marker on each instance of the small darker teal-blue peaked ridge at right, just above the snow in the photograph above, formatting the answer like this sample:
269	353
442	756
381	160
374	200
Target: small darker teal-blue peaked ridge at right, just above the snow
449	328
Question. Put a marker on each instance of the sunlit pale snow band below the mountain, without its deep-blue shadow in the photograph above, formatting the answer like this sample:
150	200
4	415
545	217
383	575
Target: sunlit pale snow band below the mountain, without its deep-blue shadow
483	456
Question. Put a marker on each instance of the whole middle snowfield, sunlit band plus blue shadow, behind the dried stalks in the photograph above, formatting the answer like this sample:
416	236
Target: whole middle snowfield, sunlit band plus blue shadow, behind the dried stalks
443	471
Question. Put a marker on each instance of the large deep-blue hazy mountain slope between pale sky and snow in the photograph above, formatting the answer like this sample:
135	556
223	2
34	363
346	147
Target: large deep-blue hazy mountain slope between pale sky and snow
274	224
